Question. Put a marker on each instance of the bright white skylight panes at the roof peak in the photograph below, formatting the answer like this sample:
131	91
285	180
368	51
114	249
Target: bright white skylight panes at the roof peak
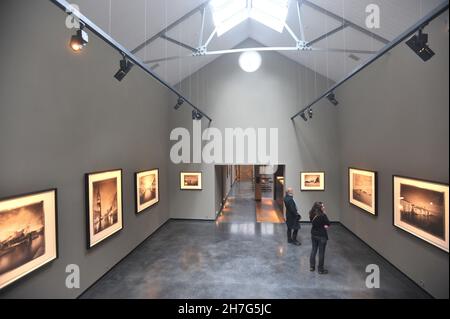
227	14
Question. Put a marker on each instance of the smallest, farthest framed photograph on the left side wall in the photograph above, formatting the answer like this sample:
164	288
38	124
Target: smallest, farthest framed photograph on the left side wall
147	189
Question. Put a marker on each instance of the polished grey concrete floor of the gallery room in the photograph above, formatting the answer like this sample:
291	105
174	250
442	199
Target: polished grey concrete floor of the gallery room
240	258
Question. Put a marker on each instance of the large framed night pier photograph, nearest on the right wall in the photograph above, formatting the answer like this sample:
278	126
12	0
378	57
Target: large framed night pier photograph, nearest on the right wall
421	209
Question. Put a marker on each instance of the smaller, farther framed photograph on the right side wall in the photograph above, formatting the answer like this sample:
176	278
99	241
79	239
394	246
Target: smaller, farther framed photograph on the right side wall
362	190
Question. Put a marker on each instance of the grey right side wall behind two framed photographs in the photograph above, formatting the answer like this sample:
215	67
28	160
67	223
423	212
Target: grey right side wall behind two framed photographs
393	118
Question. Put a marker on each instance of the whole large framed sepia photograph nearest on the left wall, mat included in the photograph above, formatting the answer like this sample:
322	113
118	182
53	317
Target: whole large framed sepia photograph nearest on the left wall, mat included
28	234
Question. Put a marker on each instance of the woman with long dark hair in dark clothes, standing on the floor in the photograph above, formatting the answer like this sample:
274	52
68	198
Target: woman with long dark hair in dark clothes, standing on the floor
319	236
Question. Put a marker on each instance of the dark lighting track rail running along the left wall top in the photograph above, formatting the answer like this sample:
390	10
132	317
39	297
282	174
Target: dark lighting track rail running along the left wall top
67	7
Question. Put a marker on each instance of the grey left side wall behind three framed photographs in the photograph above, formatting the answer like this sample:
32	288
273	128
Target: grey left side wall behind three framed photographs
63	115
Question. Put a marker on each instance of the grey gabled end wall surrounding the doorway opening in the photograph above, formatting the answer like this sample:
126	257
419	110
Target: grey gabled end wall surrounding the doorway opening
264	99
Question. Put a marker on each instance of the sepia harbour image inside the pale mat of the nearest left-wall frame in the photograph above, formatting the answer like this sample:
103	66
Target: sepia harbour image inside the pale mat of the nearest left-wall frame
22	236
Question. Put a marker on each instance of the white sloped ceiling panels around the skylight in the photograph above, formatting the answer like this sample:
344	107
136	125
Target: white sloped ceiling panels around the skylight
131	22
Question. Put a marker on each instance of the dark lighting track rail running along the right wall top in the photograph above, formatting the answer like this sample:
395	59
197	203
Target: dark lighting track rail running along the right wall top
405	35
